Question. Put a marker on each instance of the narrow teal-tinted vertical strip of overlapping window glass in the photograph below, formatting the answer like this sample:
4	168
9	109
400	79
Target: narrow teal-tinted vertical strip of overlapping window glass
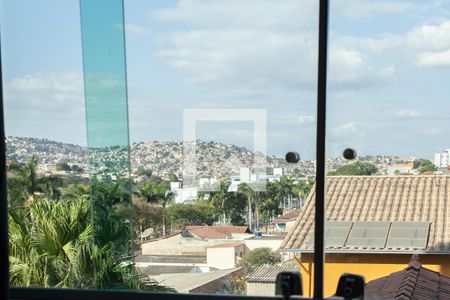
103	49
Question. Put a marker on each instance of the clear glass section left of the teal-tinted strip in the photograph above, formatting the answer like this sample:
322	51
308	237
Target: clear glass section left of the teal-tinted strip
47	170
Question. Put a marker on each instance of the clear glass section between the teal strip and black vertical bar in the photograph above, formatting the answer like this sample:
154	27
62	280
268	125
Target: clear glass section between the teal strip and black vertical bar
210	84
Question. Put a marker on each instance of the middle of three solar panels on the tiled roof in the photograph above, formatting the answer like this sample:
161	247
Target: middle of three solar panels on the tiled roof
368	234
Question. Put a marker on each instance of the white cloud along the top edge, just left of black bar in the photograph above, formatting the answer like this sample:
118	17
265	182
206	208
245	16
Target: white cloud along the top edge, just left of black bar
249	14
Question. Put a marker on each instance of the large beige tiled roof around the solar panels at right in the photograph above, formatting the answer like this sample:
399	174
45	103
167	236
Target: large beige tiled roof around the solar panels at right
380	198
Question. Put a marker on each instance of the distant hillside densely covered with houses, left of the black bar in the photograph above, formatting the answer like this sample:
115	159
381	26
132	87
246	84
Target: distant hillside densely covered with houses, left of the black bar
162	158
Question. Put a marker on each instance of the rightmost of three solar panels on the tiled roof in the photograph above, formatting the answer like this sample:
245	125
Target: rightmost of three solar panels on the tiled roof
408	235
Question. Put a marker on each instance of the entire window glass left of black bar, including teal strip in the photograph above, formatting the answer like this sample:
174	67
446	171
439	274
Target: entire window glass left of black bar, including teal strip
192	192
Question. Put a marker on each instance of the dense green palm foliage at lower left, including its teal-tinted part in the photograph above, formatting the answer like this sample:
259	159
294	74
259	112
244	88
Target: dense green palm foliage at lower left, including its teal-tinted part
55	239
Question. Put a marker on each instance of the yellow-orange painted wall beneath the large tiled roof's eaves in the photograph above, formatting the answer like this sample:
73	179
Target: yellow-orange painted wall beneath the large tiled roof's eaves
371	266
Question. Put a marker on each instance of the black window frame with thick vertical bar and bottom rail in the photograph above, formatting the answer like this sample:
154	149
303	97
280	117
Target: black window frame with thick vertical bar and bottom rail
25	293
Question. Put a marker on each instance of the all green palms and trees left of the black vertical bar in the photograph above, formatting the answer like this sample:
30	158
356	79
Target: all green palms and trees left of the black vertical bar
73	235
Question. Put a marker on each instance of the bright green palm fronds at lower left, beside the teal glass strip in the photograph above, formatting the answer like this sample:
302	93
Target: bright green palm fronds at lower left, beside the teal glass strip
47	240
